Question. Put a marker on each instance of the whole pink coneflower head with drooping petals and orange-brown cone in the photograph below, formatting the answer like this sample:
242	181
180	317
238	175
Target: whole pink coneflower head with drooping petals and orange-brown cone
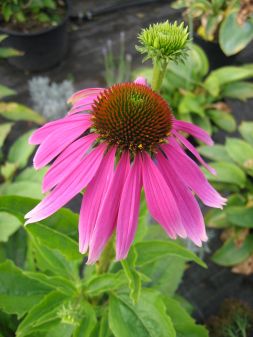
114	142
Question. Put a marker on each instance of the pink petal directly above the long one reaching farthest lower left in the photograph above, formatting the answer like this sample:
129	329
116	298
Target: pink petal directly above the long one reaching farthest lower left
67	162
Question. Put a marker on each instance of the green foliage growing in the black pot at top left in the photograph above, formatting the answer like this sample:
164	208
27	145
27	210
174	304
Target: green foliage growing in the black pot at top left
21	11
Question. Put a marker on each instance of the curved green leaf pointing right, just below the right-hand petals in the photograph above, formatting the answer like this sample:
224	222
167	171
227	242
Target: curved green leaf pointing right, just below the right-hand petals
150	251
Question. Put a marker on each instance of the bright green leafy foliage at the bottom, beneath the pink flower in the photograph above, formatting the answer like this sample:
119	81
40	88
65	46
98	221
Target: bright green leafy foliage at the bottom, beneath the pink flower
55	299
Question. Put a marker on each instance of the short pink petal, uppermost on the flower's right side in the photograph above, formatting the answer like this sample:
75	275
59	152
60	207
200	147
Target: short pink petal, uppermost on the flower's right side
193	130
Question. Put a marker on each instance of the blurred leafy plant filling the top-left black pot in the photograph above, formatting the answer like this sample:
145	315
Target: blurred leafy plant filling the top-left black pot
28	13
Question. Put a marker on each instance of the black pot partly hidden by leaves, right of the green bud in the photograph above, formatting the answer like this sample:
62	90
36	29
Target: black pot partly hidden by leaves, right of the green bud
215	55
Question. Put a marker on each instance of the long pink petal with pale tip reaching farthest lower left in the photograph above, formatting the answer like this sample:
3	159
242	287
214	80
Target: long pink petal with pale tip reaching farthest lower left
70	187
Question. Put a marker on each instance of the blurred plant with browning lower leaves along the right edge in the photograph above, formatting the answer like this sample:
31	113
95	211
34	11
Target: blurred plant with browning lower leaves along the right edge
234	165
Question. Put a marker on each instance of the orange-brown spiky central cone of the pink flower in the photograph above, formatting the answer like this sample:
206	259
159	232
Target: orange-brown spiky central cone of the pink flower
132	116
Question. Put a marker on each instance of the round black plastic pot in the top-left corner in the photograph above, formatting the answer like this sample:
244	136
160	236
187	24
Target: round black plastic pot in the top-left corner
42	50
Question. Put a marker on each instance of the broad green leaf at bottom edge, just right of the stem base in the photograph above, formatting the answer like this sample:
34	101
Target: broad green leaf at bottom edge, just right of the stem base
146	319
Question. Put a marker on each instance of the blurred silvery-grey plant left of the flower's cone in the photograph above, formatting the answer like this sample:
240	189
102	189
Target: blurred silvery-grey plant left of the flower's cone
50	99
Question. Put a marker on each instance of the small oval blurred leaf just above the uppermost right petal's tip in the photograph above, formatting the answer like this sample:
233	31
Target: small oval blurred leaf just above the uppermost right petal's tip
223	120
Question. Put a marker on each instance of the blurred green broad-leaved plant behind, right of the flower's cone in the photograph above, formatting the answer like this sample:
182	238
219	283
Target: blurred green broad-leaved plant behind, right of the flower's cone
199	96
